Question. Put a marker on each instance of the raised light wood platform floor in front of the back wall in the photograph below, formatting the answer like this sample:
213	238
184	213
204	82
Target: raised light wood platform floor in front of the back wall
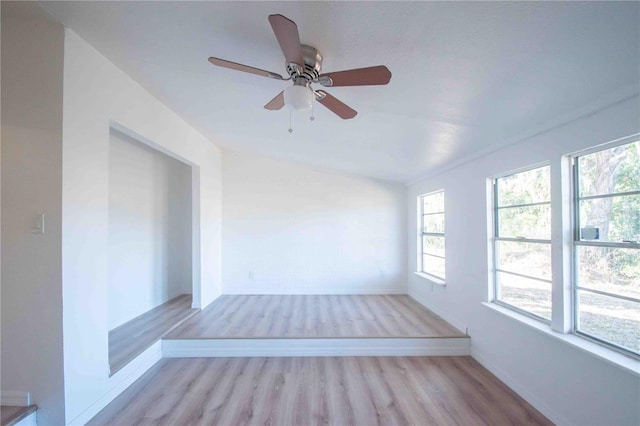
357	316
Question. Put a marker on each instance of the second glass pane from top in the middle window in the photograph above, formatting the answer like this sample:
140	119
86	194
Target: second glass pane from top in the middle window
528	222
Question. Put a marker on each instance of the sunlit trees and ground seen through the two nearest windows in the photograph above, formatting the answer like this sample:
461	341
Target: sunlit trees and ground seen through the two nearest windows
609	269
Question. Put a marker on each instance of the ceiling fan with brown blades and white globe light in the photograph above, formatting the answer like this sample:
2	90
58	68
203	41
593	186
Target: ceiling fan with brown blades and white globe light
304	65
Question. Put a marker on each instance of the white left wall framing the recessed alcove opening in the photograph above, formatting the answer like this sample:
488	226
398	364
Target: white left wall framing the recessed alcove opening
97	97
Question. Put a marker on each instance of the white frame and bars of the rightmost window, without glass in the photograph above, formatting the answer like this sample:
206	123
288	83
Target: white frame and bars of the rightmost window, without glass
577	241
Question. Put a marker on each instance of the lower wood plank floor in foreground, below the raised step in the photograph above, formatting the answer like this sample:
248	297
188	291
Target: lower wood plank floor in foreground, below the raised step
327	390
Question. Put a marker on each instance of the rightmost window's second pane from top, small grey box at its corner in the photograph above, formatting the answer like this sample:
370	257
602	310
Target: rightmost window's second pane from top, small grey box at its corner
615	218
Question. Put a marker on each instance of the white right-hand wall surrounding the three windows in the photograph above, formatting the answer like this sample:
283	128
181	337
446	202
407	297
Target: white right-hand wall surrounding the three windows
567	384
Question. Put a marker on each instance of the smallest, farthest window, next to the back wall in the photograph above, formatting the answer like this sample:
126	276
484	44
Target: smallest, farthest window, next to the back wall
432	230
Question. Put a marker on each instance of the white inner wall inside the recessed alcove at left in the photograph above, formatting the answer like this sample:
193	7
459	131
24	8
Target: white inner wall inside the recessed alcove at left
149	228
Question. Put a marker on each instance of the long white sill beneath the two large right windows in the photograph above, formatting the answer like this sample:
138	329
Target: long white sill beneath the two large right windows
615	358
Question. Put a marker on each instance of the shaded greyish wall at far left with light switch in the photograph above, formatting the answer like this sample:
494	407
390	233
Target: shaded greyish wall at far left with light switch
31	279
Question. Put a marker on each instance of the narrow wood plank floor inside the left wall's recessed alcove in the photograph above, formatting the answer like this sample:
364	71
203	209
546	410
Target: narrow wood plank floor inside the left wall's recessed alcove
135	336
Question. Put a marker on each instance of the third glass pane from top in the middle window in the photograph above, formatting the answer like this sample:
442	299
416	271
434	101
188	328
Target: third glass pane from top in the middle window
529	259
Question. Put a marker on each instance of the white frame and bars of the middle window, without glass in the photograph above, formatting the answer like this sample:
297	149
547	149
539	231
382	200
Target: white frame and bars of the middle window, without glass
496	239
